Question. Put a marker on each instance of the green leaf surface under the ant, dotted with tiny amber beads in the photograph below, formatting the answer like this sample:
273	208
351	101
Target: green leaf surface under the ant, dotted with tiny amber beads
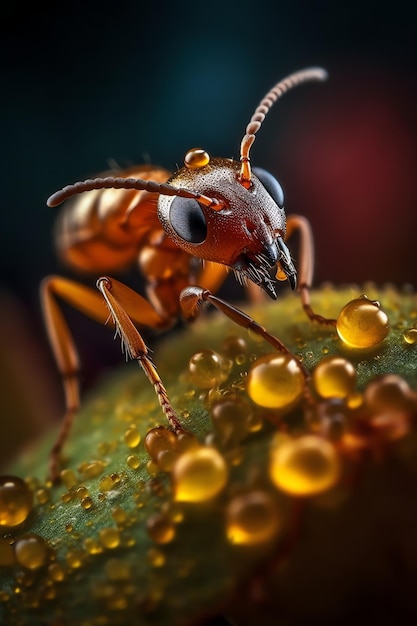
329	555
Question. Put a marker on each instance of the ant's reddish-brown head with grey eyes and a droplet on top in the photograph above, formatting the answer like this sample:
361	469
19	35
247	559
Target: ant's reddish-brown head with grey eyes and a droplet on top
247	232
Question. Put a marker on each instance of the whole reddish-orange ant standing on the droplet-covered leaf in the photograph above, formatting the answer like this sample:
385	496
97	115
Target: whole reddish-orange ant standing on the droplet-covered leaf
216	209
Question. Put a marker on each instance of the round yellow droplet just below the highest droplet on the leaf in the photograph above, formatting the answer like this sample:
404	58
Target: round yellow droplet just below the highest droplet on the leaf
334	377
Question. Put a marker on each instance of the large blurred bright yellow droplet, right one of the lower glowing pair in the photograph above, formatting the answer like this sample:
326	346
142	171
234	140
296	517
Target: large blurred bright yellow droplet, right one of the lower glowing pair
305	466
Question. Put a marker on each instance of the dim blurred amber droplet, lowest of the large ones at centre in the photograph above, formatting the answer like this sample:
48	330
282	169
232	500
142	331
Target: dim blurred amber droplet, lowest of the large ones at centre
252	518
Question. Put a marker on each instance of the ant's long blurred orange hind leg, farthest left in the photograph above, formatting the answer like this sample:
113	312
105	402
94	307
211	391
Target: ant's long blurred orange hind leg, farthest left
91	303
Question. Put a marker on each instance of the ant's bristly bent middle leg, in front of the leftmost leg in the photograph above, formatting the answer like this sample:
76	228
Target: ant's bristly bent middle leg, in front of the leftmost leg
117	296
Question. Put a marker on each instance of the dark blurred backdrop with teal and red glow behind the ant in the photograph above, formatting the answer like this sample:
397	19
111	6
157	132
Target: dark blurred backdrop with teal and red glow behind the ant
83	85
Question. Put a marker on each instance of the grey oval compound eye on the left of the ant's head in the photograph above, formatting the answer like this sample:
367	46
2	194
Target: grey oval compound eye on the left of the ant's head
187	219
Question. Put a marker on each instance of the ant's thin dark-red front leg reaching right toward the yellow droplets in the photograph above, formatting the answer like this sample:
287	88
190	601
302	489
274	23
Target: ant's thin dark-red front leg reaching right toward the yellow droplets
193	297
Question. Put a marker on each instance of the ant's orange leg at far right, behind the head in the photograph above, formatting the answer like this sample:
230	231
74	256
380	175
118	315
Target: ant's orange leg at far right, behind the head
306	266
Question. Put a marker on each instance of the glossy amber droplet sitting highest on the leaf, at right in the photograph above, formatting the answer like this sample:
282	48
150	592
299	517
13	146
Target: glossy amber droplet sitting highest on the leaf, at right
362	323
